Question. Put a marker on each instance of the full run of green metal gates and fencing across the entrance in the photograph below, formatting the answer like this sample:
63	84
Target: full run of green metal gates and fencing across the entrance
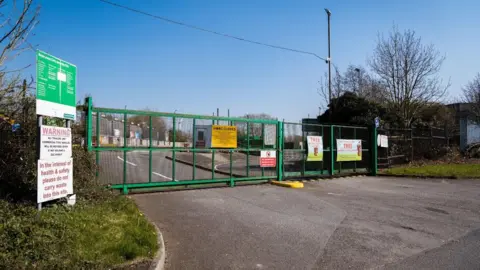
144	149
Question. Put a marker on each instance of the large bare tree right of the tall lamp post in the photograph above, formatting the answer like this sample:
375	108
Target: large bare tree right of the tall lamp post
409	72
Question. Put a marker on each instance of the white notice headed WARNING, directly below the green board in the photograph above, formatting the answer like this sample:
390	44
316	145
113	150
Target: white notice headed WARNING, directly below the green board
55	142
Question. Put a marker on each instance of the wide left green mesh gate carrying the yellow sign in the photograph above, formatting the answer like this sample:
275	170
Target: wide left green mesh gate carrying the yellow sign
139	149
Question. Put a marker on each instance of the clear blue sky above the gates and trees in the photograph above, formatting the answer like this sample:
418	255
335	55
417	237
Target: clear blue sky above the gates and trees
128	59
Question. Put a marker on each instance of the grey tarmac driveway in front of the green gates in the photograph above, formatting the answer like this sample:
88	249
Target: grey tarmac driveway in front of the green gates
350	223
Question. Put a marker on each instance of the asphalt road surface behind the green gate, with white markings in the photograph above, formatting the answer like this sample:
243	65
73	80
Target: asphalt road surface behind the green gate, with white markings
111	168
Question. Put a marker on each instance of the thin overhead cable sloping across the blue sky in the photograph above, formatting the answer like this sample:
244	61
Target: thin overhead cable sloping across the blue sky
210	31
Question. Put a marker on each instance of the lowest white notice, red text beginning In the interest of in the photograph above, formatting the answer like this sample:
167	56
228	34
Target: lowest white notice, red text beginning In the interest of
55	179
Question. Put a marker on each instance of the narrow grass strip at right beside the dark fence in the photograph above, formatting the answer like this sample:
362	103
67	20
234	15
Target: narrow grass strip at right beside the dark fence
440	170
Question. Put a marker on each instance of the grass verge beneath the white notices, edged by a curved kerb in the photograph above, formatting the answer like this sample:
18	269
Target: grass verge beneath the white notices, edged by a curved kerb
90	235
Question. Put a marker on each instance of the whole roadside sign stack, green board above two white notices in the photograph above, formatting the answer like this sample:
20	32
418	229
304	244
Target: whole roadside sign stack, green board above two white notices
56	97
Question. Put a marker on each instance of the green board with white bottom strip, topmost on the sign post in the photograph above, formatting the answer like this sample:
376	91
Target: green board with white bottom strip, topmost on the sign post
56	87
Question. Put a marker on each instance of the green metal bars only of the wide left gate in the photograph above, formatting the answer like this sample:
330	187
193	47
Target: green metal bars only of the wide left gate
125	186
